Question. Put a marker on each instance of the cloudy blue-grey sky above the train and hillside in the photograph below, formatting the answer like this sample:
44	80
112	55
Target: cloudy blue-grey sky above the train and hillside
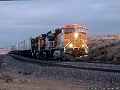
20	20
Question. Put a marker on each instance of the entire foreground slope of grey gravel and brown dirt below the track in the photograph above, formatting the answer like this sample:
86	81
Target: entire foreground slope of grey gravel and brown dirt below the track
23	75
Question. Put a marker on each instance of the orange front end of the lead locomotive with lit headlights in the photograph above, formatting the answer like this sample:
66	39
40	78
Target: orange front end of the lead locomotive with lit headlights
75	40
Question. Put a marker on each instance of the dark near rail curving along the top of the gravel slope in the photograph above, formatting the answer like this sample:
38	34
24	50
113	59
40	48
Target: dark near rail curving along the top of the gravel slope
58	64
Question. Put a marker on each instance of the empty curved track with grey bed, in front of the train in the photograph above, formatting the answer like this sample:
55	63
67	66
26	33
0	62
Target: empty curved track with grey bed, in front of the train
76	64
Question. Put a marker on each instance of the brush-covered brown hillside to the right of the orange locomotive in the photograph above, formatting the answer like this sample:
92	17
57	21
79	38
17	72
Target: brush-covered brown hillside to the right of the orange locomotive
104	48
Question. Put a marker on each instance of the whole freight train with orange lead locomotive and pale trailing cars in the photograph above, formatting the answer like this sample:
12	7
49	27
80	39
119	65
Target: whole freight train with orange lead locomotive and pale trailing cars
68	42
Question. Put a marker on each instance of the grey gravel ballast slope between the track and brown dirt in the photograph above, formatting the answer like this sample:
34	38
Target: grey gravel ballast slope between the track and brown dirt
80	77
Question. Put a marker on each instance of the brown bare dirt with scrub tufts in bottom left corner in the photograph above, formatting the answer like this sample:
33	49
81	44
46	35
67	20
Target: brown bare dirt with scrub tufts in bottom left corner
12	82
